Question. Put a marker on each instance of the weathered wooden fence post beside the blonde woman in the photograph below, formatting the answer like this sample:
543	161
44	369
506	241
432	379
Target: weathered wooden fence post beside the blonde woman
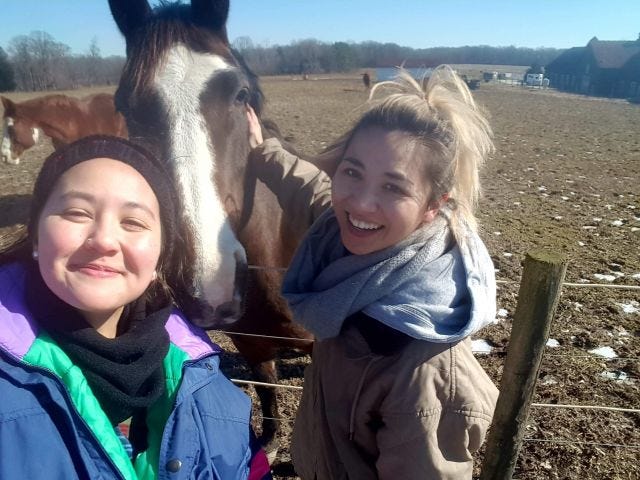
540	287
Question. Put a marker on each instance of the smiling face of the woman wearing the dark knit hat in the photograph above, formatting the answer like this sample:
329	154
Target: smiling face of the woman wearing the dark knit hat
99	239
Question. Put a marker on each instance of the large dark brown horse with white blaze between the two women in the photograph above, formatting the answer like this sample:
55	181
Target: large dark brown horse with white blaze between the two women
184	95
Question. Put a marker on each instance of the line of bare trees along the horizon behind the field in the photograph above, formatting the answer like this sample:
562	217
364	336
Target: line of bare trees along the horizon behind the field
38	62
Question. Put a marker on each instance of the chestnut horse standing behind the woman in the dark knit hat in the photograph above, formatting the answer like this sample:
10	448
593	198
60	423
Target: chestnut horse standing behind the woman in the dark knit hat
62	118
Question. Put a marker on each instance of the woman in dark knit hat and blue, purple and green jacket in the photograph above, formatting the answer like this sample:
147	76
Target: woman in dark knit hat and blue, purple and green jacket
90	336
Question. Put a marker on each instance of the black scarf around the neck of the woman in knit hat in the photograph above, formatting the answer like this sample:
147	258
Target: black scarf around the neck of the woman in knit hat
125	373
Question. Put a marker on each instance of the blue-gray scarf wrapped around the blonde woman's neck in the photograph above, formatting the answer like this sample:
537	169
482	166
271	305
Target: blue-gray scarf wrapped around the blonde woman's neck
325	283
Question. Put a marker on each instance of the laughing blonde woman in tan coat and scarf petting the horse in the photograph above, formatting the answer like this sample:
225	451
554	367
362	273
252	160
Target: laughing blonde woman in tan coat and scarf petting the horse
392	279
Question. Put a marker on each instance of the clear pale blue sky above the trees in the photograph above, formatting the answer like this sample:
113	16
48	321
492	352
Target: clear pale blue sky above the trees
413	23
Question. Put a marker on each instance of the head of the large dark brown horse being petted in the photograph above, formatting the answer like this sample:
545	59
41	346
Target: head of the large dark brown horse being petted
184	96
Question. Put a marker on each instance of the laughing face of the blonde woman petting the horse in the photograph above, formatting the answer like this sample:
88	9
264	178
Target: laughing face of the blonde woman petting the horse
379	193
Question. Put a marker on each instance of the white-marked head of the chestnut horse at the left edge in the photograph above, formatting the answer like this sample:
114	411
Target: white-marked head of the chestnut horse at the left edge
18	133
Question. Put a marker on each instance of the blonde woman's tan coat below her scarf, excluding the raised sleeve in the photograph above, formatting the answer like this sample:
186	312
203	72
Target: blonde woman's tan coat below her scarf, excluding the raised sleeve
419	414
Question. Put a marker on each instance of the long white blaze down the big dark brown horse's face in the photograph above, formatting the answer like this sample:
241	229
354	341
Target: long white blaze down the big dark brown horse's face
180	82
